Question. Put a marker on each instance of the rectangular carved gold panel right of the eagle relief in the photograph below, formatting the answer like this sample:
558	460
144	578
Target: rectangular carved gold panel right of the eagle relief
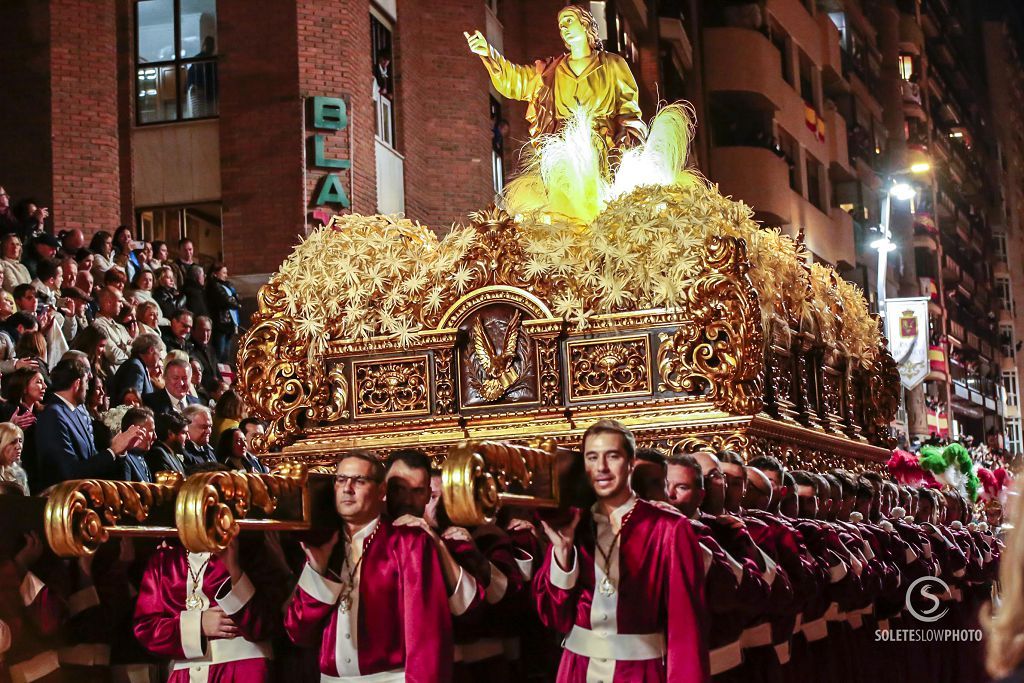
610	368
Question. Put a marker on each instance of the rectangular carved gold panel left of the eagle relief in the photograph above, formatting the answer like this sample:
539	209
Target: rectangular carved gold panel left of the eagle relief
392	388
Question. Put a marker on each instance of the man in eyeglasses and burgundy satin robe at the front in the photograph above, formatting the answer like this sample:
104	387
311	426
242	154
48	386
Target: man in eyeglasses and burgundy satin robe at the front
376	603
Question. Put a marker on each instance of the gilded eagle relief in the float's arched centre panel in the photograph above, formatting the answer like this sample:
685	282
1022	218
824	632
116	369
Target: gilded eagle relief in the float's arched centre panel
497	359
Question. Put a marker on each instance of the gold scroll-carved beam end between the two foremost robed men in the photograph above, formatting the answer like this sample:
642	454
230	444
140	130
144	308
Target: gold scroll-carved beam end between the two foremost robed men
479	477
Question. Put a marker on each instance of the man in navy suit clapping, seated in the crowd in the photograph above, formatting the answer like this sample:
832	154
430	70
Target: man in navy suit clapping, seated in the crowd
64	434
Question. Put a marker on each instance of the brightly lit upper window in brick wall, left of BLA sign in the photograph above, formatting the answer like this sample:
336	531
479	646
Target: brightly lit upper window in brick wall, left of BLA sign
176	60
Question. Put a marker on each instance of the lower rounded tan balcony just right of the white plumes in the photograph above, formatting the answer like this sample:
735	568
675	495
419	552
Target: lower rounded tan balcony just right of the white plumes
758	178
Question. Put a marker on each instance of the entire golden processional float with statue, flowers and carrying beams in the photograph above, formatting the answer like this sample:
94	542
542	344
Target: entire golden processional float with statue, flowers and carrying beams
607	282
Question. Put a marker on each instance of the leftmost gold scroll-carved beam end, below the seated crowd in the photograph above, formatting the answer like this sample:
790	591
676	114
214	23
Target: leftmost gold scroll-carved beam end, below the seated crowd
79	514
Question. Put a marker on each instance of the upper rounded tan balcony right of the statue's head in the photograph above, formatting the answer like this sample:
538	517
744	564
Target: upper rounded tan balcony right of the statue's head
745	64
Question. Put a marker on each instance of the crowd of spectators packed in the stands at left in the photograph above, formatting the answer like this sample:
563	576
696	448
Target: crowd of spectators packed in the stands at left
116	359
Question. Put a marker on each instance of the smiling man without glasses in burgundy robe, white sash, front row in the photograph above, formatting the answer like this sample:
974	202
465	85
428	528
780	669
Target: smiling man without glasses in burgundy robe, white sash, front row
625	580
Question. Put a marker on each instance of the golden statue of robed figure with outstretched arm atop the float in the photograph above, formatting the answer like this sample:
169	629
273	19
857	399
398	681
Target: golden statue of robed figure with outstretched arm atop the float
586	77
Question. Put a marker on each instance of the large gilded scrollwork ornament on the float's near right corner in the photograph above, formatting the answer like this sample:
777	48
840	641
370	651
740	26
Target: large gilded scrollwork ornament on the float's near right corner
719	350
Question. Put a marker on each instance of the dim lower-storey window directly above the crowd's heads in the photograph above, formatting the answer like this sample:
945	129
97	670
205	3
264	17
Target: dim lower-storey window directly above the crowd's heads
200	223
